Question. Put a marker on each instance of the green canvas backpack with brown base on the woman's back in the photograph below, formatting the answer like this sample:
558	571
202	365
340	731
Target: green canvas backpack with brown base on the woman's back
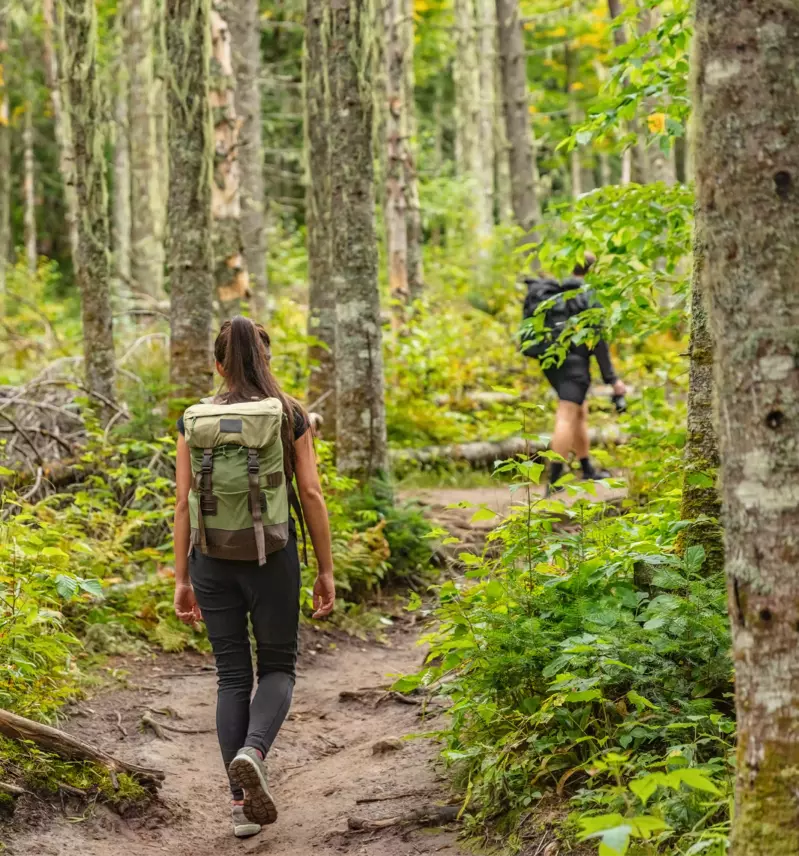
239	500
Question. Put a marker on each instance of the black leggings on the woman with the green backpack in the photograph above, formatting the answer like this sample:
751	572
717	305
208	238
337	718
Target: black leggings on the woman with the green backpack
227	593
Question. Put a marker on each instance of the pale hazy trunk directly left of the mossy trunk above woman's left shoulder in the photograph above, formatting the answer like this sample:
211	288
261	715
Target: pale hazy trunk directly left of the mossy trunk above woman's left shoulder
146	251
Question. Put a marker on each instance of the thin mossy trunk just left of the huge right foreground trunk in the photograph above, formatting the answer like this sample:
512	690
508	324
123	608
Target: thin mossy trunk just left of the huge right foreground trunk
701	499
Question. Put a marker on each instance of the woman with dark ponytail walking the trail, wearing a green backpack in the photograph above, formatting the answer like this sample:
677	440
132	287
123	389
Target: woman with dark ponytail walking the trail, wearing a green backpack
225	577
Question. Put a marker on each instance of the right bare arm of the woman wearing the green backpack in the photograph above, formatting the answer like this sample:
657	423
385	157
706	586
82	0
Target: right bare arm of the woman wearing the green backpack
315	512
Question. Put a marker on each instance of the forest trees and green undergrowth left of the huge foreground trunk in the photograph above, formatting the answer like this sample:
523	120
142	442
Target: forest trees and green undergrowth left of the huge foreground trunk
372	182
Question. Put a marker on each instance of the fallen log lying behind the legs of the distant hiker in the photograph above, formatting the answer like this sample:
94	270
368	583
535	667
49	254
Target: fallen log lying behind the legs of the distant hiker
484	454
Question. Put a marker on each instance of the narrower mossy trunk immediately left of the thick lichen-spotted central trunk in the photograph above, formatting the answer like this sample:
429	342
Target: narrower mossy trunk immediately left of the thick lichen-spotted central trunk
322	295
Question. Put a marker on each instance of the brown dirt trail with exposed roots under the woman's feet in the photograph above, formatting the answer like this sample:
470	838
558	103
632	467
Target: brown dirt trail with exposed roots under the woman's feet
326	758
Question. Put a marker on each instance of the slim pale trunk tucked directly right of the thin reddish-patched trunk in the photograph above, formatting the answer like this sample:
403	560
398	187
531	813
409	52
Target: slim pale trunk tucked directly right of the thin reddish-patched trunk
414	213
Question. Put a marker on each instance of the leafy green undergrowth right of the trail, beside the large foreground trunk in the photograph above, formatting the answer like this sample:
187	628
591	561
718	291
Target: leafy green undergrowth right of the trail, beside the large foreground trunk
588	659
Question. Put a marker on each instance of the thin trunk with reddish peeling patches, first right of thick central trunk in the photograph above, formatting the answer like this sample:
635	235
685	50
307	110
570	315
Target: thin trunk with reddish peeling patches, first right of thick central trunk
396	139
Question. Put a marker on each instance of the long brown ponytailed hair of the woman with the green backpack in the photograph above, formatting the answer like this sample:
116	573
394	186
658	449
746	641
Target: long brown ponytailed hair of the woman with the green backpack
244	351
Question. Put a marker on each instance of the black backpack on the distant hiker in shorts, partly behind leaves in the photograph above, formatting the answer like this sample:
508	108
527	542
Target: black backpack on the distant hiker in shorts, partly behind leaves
535	339
